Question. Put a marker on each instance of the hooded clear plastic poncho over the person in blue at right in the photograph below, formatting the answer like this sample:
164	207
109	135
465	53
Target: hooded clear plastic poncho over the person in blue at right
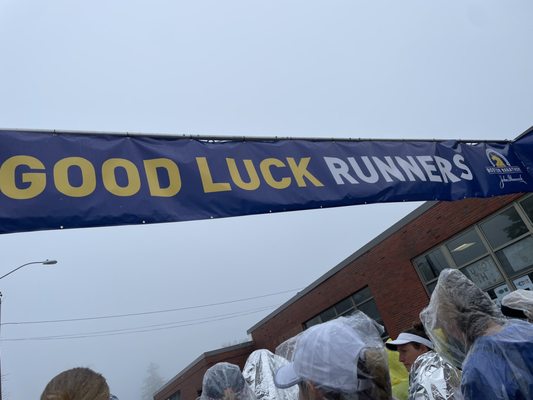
468	329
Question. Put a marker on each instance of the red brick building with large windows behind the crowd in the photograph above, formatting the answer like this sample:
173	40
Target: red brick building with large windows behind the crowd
391	277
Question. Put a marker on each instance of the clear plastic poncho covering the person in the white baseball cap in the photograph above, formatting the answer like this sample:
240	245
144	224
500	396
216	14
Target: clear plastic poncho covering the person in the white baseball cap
344	357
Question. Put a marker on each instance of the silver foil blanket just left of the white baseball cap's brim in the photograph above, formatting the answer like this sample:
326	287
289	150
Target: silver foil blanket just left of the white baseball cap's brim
259	372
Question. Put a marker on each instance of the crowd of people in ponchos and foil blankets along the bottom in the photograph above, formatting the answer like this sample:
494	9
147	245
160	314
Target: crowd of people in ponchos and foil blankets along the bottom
463	347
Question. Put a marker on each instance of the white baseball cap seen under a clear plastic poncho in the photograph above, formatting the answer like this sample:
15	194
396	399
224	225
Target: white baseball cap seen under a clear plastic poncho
327	355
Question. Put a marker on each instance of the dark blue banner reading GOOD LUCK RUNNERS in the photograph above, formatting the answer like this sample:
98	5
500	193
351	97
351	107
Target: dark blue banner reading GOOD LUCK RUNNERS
54	180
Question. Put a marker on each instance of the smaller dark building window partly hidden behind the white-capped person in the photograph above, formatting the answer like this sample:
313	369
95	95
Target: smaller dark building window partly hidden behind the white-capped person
361	300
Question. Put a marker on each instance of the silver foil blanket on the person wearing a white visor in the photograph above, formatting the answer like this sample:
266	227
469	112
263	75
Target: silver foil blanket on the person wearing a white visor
432	378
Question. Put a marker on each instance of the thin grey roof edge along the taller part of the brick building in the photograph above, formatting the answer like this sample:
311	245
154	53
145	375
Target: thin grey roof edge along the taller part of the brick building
378	239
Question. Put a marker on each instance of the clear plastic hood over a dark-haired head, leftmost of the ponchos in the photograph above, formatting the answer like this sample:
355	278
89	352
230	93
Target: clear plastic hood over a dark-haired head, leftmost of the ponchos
224	381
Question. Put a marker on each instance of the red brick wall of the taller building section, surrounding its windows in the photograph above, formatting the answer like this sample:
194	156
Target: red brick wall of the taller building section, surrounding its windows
386	269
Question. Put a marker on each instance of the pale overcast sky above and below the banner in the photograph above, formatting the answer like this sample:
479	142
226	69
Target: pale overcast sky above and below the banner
460	69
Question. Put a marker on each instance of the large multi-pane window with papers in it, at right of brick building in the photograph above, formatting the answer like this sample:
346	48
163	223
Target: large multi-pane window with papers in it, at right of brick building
496	254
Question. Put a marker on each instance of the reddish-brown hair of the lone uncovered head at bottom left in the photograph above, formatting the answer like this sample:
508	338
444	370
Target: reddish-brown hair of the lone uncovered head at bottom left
77	384
